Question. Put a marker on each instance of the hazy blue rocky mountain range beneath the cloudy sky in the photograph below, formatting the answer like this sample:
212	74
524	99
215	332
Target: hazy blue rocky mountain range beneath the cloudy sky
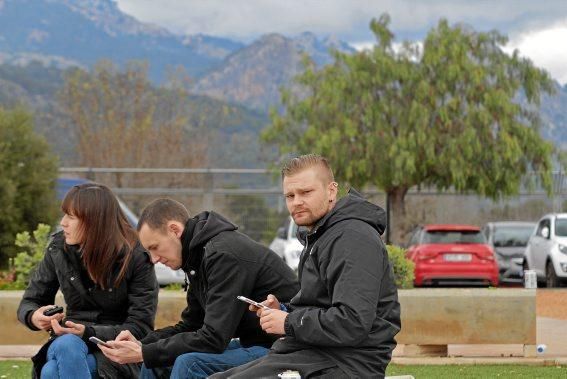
64	33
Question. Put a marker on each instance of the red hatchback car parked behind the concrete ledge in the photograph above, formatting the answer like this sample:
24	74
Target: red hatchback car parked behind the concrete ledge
452	254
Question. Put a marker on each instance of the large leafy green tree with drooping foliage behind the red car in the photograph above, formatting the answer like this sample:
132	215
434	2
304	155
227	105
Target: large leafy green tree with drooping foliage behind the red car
445	115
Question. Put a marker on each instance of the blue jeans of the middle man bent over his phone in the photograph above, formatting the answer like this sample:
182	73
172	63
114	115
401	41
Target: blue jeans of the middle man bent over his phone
202	365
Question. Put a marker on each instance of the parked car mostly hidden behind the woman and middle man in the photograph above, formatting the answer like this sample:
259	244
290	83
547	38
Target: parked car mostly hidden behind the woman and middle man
164	274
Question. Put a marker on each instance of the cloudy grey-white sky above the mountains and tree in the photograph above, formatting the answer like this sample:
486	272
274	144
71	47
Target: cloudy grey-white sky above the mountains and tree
538	29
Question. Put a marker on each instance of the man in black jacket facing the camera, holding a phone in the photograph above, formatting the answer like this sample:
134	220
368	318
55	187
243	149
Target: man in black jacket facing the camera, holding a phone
343	320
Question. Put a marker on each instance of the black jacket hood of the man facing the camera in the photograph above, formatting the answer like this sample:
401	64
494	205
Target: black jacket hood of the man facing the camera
351	207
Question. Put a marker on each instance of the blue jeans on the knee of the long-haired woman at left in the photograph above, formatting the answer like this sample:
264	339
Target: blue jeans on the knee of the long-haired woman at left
67	357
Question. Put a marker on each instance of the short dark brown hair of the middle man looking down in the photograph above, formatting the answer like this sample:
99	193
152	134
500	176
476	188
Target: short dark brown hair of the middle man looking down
160	211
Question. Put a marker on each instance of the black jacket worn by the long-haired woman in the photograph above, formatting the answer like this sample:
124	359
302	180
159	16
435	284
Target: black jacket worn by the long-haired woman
131	306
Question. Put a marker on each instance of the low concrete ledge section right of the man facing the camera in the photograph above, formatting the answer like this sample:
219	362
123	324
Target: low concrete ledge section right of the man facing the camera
468	316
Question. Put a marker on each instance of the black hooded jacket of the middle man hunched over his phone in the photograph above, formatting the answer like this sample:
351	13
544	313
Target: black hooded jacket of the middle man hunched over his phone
221	264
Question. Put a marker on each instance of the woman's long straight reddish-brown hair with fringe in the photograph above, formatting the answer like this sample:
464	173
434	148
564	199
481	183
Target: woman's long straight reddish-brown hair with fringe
107	239
